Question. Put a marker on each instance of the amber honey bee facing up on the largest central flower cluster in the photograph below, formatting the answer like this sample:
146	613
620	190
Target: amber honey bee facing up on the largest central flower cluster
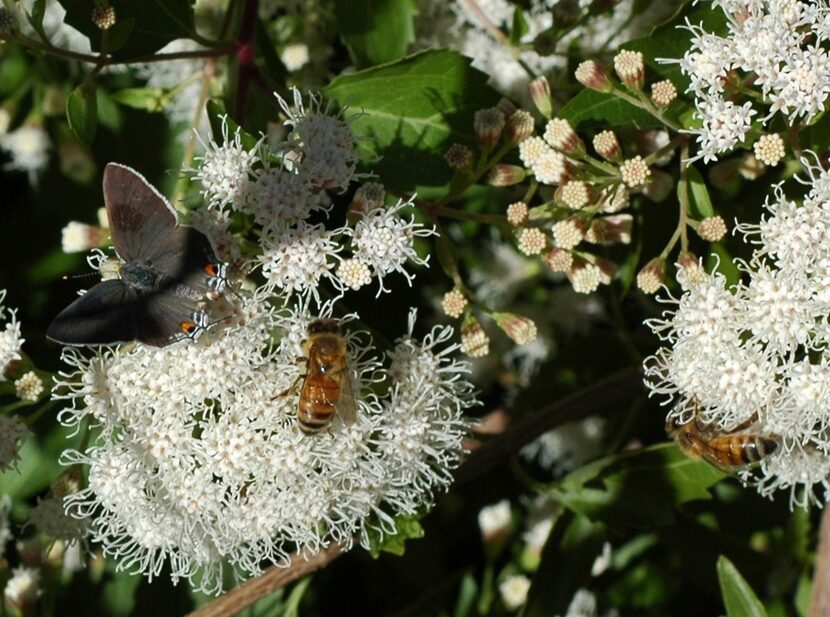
327	383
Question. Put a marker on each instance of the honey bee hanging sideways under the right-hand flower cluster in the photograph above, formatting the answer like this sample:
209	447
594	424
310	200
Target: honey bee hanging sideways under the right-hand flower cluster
728	451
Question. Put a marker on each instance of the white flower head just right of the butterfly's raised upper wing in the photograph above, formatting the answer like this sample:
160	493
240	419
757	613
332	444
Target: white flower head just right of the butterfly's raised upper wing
226	169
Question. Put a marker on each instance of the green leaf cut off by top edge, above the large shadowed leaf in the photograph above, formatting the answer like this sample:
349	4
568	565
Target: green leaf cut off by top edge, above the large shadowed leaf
376	31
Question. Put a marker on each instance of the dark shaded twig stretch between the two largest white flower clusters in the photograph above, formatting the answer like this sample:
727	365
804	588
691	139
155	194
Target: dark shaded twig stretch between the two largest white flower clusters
623	385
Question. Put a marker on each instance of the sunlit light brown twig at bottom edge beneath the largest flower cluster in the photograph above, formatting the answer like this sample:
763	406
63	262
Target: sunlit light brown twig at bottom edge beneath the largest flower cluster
244	595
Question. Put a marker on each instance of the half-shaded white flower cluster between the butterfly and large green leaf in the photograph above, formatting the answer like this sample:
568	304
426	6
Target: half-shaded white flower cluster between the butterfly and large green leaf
281	187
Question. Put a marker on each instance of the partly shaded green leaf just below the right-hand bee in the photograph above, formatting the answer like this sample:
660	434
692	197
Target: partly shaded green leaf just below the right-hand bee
637	489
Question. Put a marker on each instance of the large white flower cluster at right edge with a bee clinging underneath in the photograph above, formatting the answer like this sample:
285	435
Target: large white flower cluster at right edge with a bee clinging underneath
755	355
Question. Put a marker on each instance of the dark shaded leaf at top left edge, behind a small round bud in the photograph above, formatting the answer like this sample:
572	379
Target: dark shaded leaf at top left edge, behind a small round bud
148	25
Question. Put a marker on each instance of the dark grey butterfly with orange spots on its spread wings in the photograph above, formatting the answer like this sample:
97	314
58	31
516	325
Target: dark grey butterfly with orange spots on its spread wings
166	272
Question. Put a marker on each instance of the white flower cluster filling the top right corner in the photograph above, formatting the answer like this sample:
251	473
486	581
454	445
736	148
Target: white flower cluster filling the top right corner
781	44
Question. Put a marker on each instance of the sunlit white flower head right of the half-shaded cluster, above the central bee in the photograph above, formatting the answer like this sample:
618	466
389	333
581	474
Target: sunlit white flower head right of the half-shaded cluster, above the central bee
384	240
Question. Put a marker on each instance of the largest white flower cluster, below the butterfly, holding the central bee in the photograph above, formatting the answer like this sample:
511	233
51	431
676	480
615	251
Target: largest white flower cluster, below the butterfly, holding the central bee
201	462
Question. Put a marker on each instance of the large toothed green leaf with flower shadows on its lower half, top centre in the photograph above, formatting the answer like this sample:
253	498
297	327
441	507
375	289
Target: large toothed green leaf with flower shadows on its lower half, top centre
410	112
